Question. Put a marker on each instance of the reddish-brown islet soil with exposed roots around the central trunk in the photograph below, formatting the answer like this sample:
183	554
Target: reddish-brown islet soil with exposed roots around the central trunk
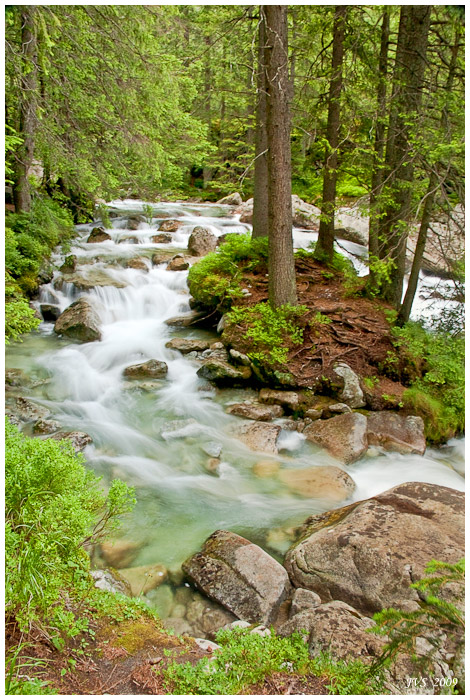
351	328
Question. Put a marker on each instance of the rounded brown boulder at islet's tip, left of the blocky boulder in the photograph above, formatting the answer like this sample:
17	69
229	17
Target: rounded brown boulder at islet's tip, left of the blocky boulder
344	436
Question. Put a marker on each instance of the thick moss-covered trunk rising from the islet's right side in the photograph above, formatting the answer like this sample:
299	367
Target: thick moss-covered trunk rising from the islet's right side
408	83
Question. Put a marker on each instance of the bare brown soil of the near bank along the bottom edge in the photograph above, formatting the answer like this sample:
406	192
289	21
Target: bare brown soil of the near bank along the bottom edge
128	658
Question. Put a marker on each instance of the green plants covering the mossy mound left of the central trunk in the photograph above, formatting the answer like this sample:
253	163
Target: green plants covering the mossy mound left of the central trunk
215	280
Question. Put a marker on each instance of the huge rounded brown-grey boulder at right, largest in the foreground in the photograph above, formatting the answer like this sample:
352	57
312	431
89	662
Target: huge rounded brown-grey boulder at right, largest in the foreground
367	554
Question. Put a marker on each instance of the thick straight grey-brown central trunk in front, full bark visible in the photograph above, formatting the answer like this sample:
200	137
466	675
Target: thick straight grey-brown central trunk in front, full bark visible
282	287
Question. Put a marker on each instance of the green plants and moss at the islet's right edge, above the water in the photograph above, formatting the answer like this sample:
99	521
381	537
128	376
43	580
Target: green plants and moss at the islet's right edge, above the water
434	365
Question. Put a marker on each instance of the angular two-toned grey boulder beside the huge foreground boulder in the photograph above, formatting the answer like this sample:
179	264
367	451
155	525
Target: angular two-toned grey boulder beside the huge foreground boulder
240	576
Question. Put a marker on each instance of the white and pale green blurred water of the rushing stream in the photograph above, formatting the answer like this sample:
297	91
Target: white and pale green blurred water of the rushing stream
160	435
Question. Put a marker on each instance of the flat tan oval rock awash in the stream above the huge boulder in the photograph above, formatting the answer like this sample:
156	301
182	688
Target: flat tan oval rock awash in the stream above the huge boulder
330	483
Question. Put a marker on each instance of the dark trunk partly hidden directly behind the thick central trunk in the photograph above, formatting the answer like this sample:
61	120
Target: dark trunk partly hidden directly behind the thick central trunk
260	193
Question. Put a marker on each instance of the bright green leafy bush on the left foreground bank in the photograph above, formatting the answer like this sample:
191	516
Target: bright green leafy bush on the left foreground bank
53	506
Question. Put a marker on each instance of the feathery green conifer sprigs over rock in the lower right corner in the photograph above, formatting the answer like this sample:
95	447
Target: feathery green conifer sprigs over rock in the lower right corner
440	612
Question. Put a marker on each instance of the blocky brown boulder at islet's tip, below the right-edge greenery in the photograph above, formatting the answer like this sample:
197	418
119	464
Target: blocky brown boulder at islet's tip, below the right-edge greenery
396	433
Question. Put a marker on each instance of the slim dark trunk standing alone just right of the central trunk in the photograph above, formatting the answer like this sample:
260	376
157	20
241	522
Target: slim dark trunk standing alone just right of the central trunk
326	233
